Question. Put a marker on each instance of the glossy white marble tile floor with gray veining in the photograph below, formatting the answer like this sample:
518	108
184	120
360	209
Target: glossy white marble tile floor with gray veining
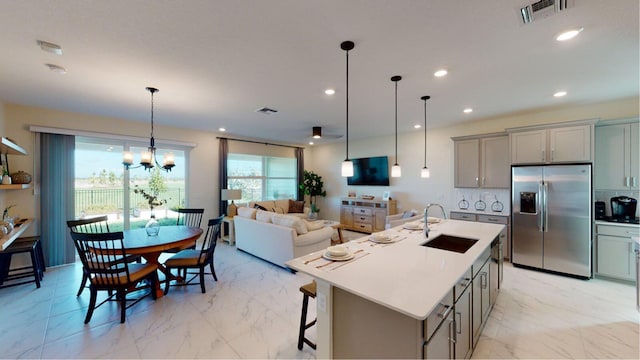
253	311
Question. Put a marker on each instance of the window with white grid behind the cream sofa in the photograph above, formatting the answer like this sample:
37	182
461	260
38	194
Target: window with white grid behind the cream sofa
262	177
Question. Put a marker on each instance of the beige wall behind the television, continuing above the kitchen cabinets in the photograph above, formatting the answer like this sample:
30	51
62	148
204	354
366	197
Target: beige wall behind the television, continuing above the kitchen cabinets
413	192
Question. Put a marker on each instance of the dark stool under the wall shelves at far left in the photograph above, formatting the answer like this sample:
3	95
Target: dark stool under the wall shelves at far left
29	245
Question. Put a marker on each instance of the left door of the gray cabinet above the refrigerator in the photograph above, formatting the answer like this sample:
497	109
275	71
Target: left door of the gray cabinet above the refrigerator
528	147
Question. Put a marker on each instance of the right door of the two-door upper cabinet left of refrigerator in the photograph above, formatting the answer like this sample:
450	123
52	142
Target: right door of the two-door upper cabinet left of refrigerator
495	162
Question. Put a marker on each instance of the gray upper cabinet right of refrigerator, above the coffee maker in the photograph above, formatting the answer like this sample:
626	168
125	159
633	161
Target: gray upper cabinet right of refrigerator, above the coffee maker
616	163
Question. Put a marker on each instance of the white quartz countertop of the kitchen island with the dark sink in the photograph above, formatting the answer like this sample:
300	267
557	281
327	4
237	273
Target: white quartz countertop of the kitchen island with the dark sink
405	276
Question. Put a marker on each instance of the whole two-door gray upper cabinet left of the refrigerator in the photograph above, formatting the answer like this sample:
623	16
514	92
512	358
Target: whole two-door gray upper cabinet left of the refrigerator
482	161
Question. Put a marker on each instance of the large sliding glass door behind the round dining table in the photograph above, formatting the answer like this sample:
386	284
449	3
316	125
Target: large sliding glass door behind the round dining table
104	187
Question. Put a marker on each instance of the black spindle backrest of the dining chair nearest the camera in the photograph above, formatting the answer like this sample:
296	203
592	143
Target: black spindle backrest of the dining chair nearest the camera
101	255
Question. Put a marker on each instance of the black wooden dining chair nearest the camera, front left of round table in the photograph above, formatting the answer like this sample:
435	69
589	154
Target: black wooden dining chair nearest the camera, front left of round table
100	254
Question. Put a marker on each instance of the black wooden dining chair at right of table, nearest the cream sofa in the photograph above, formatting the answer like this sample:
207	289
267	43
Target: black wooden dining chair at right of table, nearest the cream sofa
197	258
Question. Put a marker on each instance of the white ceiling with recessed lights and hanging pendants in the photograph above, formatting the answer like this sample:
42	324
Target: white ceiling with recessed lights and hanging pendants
215	62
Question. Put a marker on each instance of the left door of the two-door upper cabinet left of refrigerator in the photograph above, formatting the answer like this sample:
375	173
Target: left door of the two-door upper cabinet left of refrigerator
467	163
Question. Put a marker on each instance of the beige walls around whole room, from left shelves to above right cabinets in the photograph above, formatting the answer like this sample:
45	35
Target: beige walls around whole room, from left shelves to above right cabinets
410	190
